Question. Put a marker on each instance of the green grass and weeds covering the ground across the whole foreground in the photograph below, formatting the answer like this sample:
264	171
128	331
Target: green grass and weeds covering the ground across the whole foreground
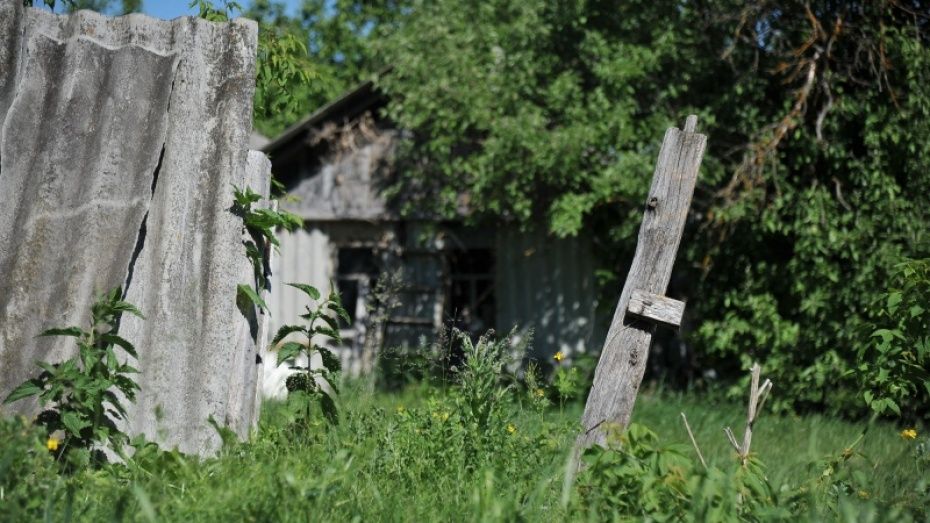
484	449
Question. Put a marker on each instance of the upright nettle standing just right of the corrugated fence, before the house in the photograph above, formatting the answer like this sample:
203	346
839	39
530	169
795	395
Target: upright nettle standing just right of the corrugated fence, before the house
321	321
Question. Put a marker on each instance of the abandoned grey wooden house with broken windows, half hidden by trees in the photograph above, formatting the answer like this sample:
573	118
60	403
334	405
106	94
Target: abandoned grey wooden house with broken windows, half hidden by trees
334	165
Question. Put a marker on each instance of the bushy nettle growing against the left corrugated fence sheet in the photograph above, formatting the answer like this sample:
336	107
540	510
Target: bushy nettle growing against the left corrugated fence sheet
84	391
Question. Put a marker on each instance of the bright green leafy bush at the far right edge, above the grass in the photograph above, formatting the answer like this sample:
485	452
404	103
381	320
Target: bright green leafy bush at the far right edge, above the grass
894	367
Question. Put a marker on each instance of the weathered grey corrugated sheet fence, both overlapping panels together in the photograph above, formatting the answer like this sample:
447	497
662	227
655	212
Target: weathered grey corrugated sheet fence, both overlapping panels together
120	141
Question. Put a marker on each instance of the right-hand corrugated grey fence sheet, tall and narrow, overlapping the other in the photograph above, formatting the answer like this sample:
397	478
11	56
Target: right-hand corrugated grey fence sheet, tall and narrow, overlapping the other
193	252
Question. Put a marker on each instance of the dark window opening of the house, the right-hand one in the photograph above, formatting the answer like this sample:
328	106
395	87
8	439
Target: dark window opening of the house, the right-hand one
472	305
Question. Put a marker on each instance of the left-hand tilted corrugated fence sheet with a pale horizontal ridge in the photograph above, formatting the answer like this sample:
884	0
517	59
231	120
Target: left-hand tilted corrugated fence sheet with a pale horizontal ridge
78	150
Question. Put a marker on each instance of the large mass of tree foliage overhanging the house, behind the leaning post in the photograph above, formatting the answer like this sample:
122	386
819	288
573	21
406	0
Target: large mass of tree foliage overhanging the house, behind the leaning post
813	185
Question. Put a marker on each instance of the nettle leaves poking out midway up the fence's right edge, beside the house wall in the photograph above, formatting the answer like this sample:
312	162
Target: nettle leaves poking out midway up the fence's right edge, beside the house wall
260	223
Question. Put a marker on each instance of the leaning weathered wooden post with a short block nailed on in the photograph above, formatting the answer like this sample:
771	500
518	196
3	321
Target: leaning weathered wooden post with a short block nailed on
642	303
